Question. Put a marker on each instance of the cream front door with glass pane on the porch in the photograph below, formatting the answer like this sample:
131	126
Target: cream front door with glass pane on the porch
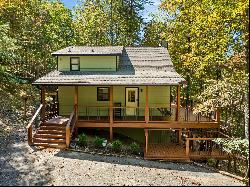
131	101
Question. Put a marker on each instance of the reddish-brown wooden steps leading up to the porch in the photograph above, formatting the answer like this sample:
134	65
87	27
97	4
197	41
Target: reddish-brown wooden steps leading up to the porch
51	134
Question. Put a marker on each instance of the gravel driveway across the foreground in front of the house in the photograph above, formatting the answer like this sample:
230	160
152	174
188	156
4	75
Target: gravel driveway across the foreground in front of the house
24	165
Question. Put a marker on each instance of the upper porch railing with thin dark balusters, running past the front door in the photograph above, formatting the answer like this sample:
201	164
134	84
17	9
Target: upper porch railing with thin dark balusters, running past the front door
156	114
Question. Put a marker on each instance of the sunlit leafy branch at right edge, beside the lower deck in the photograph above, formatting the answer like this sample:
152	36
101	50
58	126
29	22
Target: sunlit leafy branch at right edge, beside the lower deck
235	146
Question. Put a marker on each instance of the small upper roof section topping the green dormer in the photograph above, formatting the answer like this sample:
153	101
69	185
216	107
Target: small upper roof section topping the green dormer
89	50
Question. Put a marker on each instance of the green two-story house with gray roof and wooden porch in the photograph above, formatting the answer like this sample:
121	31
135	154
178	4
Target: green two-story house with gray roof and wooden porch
117	88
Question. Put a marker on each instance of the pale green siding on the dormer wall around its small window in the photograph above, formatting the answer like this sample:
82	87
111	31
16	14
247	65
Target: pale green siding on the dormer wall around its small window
90	63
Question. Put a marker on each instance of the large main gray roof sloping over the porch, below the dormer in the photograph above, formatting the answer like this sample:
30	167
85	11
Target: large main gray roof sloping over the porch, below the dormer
138	66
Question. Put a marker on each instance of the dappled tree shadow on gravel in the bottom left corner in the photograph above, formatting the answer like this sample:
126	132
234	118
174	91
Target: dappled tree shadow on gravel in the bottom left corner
20	167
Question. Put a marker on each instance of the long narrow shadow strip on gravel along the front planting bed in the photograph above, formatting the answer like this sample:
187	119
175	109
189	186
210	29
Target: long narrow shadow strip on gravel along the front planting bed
132	161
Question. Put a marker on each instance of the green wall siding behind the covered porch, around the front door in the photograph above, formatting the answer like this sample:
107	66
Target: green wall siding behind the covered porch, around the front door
87	96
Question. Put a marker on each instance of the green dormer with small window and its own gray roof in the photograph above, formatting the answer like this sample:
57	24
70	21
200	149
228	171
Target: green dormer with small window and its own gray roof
87	58
